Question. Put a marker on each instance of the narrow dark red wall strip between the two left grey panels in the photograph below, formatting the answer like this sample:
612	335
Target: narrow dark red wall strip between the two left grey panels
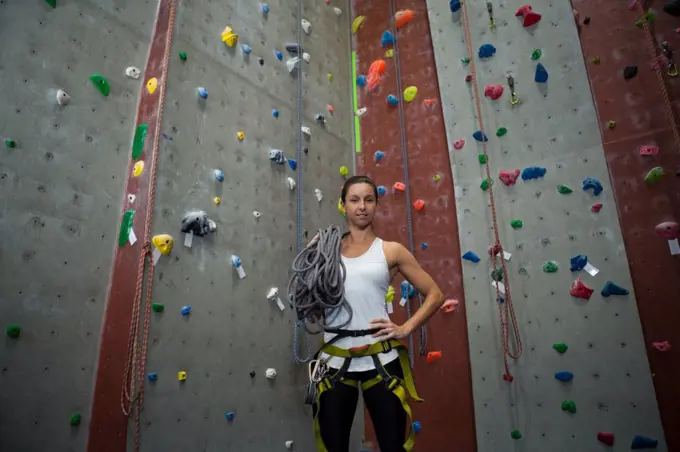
108	425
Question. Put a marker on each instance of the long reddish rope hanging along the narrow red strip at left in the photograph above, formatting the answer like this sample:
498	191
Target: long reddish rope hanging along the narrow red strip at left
132	394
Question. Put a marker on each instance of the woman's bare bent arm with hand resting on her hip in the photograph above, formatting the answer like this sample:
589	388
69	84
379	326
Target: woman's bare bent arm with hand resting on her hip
410	269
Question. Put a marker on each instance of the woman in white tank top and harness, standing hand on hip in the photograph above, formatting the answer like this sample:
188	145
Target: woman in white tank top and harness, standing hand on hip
370	265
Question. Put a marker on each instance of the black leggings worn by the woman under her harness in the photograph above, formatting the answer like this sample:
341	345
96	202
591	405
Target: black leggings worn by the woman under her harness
339	404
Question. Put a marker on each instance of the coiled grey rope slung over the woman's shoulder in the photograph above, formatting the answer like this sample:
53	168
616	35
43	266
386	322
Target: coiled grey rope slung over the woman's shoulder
316	289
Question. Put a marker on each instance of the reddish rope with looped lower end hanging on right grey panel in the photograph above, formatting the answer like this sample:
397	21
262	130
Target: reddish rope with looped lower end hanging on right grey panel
506	310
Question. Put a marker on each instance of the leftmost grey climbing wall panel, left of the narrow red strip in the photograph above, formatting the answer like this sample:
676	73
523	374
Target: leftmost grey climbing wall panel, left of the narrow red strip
60	192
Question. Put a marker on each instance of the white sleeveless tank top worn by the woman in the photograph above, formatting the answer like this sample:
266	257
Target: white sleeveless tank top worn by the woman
366	282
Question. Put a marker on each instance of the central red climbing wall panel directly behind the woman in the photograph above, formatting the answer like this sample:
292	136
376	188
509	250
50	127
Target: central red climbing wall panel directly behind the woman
447	416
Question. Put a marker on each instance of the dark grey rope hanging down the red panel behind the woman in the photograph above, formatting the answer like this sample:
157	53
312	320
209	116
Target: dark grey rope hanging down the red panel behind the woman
407	191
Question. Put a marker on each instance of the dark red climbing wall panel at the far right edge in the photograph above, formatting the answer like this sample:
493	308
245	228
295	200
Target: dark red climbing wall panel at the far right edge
642	118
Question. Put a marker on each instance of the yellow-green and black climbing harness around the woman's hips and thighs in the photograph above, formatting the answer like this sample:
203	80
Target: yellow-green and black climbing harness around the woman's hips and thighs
322	378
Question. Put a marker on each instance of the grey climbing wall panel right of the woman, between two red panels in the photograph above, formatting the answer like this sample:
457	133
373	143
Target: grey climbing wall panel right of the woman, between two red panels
554	126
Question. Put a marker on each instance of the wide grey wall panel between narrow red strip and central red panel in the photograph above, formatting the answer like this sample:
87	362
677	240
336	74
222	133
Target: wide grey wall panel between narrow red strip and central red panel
233	329
